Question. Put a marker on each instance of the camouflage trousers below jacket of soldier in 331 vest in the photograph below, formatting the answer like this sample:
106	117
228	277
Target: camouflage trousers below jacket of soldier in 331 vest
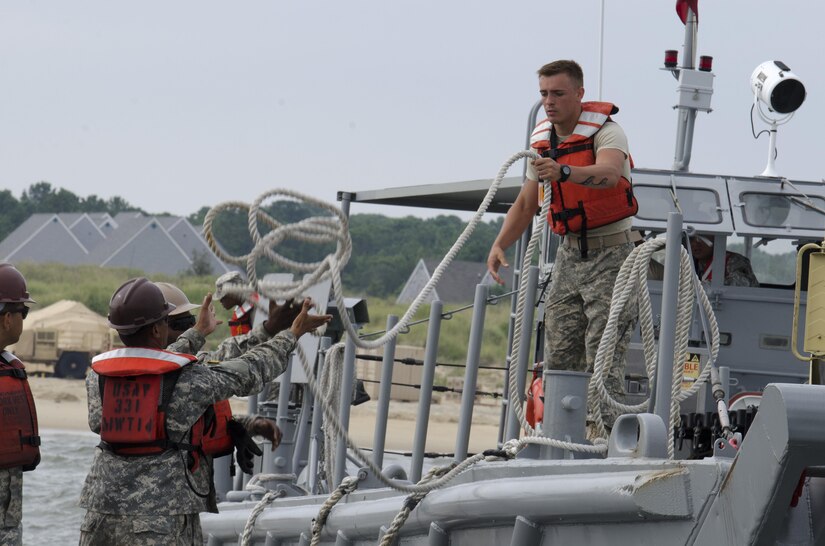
112	530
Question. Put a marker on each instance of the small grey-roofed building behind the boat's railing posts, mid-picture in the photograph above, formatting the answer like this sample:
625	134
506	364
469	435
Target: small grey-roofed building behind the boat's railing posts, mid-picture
457	284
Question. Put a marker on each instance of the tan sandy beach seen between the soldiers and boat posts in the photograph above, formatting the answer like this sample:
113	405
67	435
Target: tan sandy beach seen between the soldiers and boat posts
61	404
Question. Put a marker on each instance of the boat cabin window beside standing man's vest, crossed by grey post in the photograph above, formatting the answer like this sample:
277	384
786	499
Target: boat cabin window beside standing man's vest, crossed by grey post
698	205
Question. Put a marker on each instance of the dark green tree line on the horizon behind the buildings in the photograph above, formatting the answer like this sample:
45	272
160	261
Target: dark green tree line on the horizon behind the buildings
385	250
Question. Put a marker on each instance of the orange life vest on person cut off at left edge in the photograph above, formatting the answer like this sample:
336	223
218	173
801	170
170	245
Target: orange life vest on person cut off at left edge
19	439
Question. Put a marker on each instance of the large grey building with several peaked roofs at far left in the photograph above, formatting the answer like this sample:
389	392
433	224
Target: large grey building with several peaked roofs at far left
154	244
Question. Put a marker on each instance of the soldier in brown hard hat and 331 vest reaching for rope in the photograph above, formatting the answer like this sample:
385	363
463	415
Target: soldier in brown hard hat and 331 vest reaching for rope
151	475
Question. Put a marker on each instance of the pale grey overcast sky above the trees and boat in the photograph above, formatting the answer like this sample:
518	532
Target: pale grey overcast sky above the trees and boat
178	105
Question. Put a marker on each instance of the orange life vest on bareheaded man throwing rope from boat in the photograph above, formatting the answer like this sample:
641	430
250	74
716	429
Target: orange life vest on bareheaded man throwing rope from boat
574	207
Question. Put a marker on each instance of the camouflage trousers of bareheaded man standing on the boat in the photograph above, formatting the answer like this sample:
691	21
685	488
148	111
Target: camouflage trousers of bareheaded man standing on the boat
576	312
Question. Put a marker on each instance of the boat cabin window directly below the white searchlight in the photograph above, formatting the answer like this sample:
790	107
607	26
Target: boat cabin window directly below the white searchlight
788	211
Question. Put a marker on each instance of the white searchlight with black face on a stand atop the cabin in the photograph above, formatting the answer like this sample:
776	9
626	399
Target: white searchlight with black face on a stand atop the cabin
782	93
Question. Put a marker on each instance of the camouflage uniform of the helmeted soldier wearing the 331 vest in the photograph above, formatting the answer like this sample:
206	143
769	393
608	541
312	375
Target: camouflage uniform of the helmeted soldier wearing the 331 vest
154	499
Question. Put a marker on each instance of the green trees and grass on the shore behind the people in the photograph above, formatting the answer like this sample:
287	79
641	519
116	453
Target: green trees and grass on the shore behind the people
385	251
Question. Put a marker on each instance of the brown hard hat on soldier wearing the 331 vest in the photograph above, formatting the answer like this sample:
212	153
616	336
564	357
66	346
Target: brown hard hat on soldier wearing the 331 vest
135	304
